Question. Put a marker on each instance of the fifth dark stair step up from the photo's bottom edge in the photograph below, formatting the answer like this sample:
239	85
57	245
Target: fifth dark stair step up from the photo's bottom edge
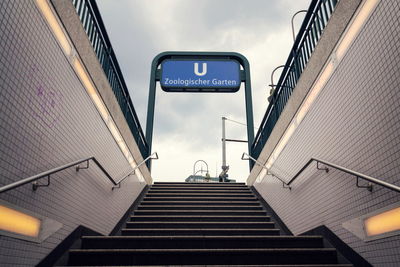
200	218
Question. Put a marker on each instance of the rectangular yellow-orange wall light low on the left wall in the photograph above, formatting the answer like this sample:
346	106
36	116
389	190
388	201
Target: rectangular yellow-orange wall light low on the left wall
17	222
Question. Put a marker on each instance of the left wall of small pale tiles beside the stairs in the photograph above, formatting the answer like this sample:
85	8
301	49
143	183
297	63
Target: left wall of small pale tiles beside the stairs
47	120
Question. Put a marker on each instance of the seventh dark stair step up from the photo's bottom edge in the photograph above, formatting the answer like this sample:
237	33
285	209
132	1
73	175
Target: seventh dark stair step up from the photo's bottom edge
199	202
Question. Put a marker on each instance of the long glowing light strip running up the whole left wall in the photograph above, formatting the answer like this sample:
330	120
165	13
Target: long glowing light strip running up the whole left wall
81	72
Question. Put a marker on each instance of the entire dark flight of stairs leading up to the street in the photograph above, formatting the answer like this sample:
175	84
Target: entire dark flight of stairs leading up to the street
198	224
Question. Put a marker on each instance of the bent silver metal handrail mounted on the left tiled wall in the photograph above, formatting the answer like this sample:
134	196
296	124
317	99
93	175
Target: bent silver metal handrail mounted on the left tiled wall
34	179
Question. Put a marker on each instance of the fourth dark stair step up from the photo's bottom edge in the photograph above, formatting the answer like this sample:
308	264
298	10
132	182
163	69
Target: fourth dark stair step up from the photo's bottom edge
200	225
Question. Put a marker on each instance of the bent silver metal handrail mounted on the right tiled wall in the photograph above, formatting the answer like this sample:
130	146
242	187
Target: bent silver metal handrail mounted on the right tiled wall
371	180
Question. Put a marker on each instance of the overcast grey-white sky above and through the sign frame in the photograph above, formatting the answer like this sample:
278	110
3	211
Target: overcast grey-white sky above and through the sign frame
187	127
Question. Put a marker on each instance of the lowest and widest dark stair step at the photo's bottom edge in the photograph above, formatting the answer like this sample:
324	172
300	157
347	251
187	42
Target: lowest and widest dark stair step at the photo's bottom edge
201	256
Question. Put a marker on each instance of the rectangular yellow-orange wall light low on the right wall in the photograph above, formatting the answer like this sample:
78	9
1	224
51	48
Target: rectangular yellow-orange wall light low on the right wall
385	222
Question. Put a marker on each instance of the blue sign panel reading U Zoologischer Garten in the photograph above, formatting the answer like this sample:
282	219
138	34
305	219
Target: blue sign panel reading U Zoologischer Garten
200	75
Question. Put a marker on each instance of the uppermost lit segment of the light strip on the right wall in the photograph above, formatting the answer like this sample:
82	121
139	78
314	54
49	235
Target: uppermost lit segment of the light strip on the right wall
355	27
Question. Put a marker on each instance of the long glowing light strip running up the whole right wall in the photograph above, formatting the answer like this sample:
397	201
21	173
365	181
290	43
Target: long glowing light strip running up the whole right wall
352	31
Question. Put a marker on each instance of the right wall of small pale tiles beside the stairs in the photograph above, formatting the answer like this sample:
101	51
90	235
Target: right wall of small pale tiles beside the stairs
355	122
